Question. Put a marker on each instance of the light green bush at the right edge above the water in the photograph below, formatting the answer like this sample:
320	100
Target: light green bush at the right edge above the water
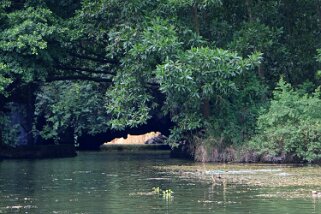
291	125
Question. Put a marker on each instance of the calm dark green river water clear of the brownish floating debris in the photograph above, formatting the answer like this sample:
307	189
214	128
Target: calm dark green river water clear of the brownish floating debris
98	182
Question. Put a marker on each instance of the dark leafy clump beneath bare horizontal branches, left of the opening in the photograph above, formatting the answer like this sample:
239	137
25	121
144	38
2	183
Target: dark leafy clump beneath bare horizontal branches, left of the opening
71	107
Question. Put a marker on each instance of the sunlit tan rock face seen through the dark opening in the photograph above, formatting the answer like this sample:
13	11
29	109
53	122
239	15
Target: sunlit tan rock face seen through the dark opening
148	138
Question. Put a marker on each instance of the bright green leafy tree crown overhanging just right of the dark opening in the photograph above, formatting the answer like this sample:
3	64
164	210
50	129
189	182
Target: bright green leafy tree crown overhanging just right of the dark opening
196	76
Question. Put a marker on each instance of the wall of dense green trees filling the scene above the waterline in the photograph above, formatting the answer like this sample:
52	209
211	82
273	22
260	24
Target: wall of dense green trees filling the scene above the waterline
81	66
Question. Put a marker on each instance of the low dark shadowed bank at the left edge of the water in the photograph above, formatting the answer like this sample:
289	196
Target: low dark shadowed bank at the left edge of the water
37	151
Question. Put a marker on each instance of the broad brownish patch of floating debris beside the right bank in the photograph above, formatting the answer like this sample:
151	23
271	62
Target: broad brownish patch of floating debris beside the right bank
262	175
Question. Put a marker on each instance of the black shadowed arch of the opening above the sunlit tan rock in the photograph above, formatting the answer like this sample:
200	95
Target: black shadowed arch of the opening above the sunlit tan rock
155	124
